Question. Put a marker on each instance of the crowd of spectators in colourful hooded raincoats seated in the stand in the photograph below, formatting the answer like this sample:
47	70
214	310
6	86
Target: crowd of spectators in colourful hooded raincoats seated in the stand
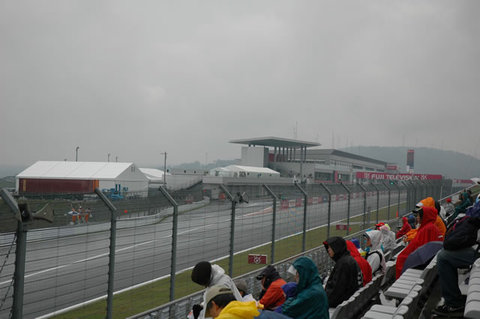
308	295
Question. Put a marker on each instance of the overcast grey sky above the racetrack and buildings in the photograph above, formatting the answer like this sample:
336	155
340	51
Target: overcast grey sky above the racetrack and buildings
137	78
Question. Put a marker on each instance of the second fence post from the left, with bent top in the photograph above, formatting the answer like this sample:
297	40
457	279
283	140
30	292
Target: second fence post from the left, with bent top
111	255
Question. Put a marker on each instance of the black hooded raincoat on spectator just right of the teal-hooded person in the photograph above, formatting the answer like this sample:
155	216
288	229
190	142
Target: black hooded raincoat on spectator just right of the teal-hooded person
346	276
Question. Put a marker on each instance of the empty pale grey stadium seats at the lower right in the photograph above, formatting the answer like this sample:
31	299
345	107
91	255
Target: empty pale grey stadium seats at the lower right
408	296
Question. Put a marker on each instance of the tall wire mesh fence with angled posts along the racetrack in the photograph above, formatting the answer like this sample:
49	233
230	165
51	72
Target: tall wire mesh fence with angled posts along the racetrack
99	248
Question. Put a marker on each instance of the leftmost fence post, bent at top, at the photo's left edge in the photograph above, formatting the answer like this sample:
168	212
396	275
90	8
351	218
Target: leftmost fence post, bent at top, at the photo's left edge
20	256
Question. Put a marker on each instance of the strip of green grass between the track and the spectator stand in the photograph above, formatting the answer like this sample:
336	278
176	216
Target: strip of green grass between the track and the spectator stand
155	294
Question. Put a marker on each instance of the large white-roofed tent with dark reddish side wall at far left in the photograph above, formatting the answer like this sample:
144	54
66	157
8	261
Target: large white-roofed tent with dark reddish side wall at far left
80	177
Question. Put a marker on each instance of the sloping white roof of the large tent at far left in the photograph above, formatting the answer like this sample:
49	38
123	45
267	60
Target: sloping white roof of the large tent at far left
74	170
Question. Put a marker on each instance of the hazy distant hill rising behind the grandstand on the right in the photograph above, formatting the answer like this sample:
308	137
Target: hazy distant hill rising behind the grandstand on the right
427	160
